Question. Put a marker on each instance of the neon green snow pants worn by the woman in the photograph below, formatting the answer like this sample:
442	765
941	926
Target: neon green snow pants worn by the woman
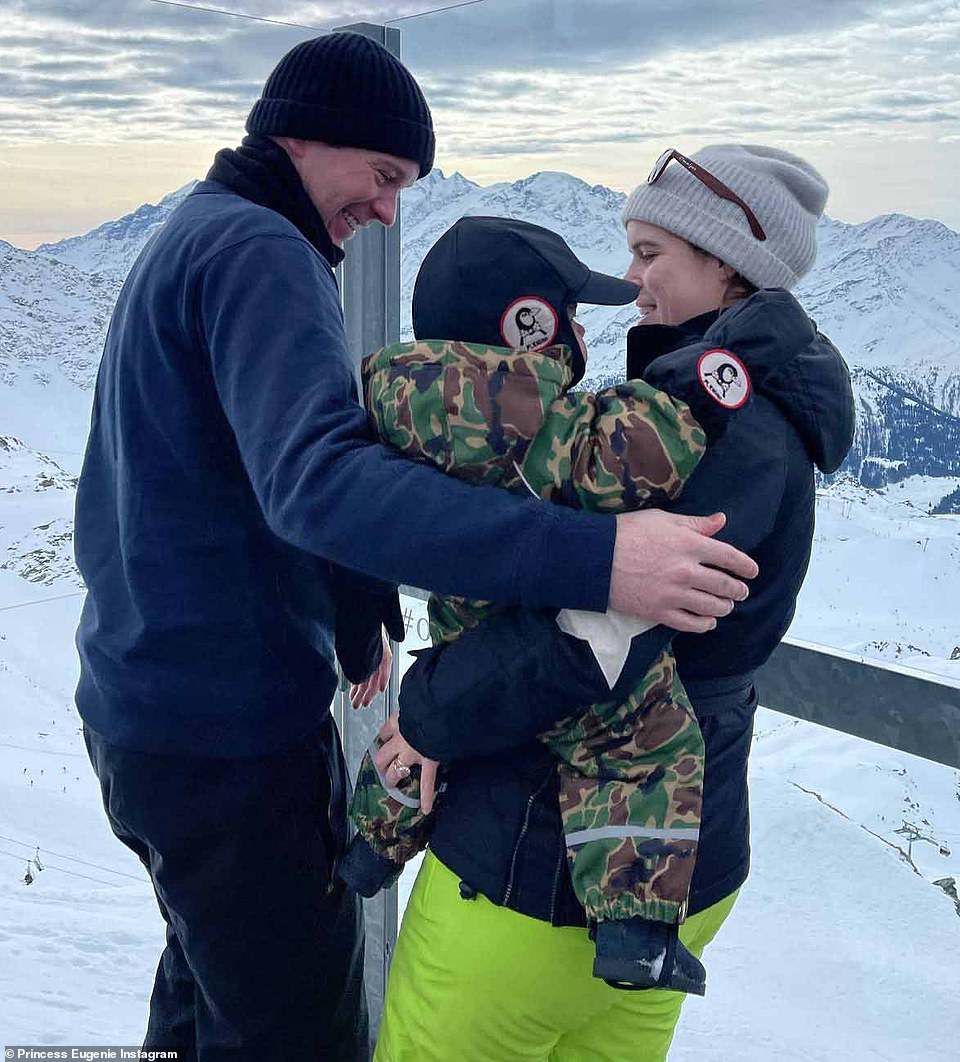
477	983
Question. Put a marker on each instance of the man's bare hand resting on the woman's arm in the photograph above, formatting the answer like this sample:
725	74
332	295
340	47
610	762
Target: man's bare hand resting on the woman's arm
665	571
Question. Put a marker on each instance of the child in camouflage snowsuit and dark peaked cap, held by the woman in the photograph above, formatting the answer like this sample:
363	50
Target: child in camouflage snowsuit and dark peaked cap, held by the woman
494	406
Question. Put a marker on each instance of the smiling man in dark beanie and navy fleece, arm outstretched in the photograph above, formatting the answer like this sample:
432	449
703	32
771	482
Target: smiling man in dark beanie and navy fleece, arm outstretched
231	494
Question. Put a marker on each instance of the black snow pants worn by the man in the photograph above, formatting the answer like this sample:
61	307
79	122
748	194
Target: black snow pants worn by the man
265	952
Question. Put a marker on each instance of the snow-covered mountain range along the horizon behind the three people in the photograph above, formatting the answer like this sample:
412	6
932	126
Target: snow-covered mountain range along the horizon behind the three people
885	292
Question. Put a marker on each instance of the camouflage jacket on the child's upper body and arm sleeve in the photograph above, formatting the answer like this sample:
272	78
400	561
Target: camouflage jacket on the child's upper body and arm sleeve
491	416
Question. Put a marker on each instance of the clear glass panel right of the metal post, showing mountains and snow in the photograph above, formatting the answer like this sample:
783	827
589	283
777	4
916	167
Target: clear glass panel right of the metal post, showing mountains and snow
545	113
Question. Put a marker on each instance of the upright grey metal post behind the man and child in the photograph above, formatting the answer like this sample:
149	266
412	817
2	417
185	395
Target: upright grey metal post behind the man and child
370	285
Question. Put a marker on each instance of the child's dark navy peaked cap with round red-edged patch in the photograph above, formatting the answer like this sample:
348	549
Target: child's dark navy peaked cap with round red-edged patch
484	272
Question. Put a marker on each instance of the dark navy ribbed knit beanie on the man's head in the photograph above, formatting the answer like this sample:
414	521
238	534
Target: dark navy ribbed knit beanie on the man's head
347	91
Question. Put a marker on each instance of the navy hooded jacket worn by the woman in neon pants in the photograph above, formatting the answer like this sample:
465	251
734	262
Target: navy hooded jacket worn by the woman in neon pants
477	705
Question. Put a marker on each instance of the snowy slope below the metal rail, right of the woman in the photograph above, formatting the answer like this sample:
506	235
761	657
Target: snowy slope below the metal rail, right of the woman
838	950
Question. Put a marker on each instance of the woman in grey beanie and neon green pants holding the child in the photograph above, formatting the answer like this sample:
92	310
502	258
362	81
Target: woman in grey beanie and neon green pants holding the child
494	958
